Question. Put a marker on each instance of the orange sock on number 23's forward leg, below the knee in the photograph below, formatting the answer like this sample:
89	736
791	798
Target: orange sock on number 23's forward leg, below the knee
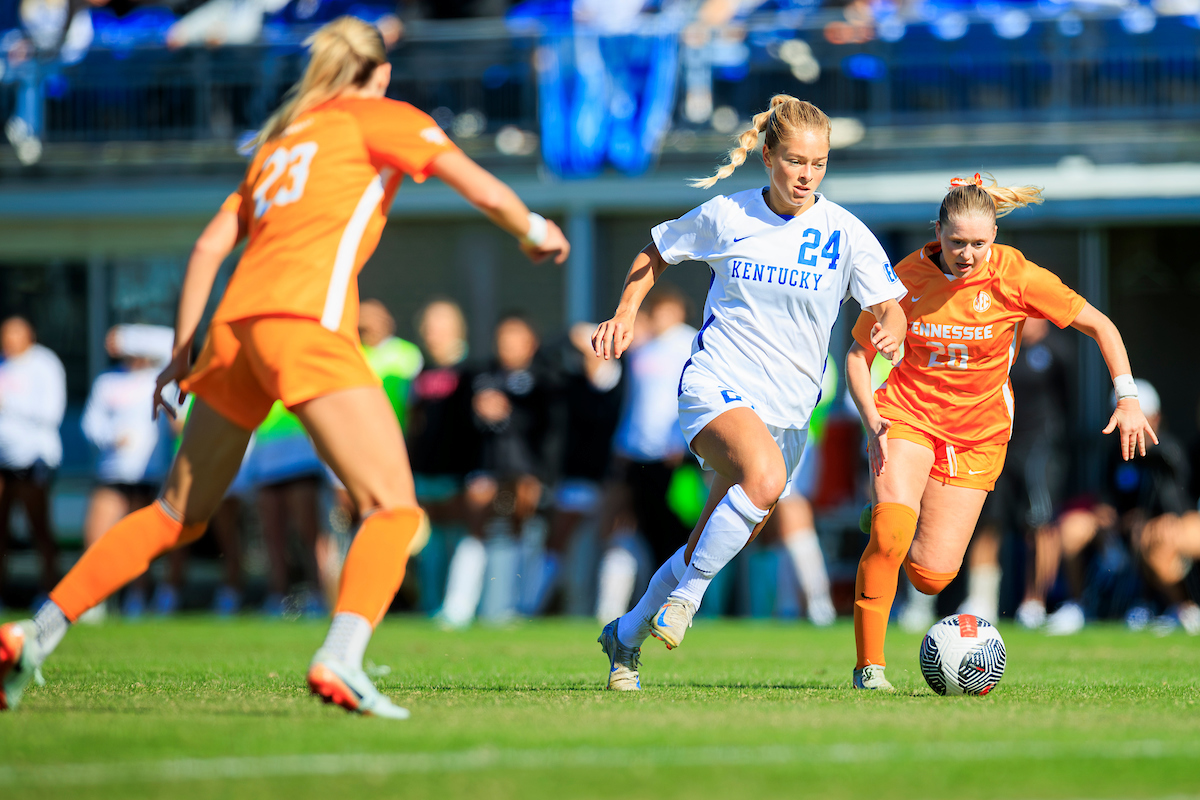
375	567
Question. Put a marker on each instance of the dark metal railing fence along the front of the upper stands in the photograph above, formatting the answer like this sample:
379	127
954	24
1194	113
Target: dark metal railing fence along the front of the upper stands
217	95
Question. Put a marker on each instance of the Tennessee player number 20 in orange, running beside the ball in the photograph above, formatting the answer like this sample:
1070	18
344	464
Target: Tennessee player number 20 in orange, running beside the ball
939	429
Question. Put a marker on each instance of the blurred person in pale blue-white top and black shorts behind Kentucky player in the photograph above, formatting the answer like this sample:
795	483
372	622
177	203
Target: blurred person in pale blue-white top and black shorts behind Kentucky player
649	447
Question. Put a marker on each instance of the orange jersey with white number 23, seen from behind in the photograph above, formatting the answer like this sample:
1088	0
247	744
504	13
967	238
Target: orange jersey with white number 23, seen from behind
315	202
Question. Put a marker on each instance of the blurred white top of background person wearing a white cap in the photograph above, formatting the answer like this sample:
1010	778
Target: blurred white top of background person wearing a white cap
118	420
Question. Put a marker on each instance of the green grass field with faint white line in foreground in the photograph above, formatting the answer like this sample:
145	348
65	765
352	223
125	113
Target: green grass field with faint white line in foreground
203	709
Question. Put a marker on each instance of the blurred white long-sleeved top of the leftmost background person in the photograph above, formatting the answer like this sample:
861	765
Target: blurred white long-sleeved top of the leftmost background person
33	400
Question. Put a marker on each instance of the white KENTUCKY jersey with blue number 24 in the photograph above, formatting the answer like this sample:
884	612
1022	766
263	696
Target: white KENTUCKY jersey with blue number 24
777	287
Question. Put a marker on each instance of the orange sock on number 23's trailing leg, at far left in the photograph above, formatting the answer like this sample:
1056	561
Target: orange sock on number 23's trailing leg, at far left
119	556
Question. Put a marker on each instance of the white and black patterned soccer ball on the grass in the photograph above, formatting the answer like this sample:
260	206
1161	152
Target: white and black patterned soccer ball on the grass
963	655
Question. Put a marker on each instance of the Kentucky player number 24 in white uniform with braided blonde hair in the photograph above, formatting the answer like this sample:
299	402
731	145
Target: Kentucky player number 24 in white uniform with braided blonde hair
783	258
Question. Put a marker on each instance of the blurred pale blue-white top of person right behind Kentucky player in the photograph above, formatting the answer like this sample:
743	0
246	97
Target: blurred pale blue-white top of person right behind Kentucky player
650	419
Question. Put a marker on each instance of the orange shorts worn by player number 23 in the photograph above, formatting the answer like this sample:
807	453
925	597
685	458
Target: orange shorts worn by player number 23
249	364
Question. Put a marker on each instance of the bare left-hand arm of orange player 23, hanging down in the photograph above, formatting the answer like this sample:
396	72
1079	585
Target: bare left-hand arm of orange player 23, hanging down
220	237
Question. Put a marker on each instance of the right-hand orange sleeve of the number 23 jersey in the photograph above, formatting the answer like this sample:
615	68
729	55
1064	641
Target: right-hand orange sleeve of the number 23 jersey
404	137
